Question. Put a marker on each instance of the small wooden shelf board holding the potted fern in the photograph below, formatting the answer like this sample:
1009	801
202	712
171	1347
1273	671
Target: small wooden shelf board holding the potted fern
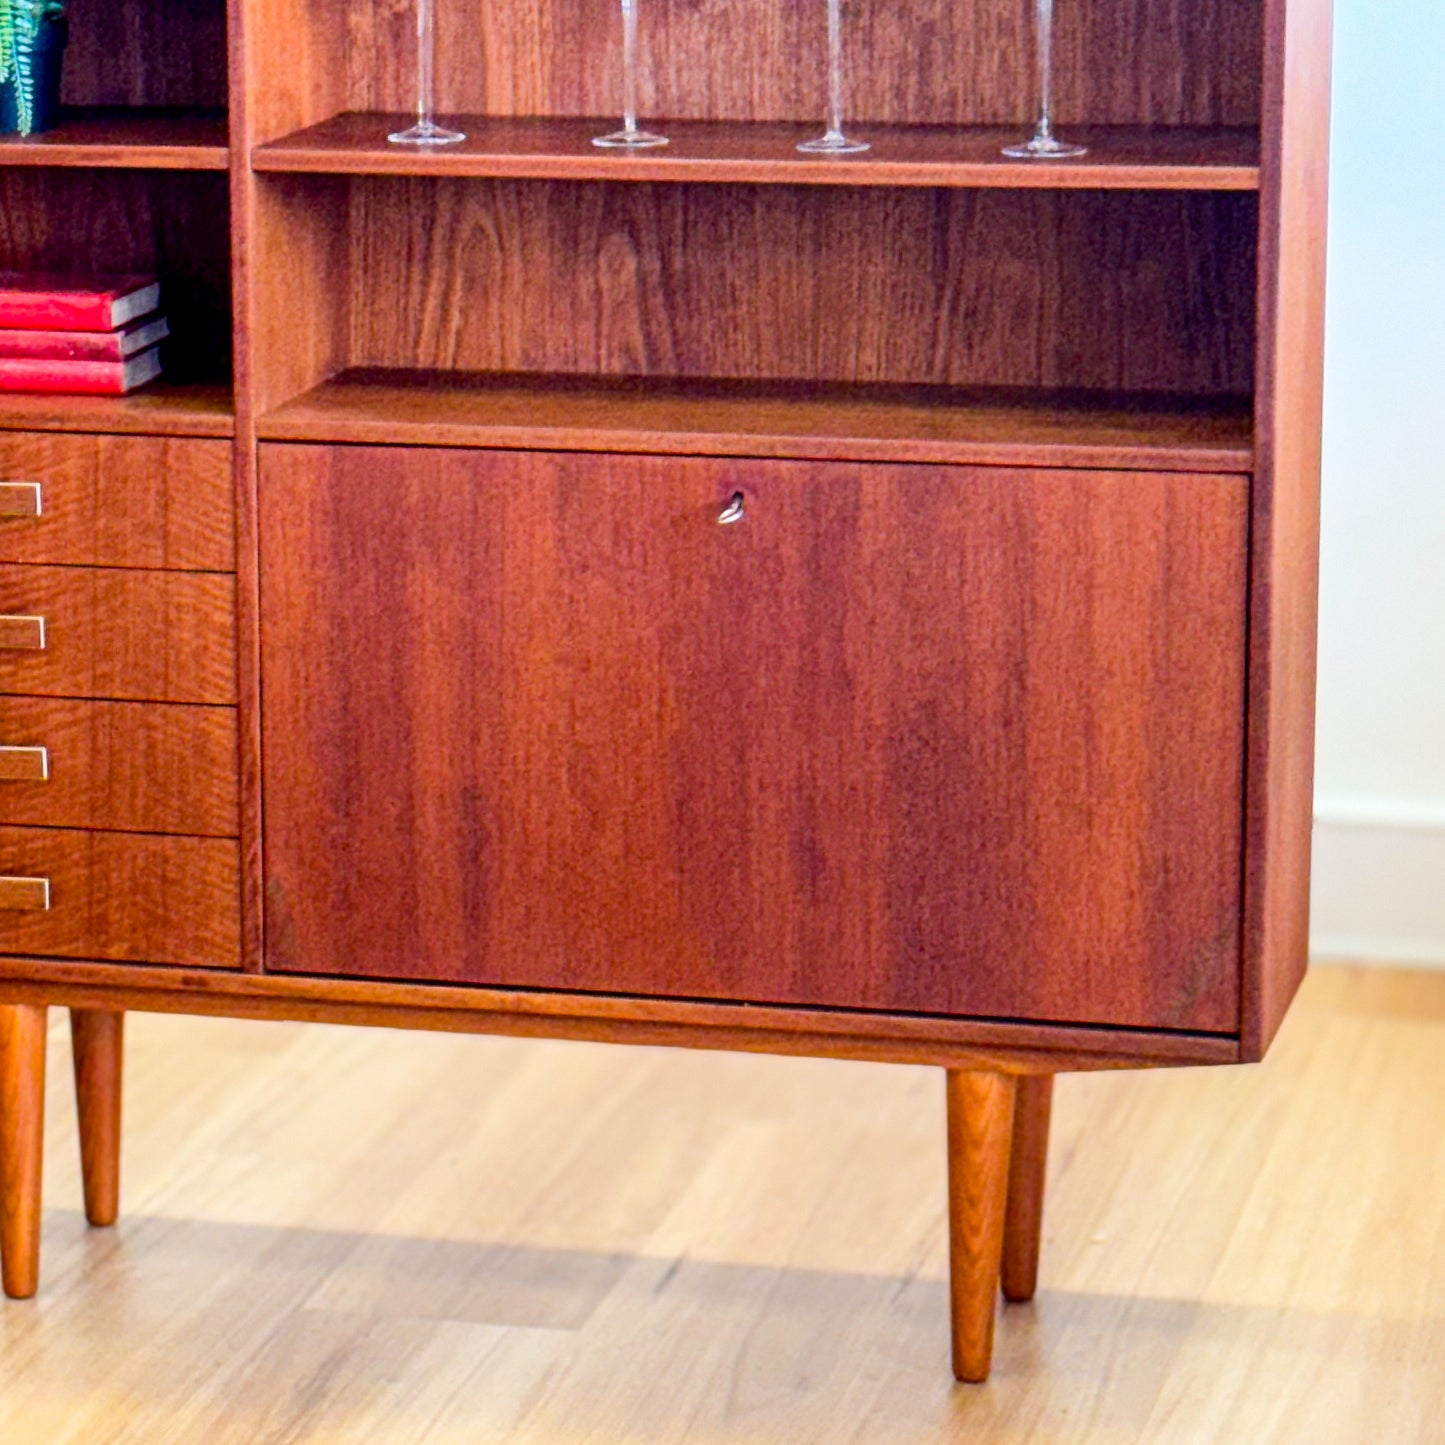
132	139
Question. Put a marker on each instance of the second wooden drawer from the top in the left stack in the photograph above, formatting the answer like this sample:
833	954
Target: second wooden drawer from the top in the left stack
119	634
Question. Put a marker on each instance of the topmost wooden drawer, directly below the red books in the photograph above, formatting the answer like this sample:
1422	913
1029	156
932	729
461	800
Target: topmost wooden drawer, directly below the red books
116	502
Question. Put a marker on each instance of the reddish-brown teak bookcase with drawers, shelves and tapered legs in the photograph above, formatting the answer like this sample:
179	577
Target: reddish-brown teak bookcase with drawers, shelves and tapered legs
398	671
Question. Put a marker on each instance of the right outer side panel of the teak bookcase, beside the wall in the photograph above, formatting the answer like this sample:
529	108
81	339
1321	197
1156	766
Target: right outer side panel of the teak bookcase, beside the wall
1284	582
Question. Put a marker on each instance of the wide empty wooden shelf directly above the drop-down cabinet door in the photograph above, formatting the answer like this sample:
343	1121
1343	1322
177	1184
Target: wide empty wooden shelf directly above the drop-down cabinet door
769	420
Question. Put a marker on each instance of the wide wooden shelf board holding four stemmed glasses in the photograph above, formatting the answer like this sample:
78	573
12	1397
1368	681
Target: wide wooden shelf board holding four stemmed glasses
1119	158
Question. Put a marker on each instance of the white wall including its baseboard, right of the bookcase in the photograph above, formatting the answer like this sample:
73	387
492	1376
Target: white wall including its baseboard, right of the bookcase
1379	885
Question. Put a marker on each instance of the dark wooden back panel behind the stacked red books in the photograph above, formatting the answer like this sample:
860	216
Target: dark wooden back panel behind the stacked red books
177	225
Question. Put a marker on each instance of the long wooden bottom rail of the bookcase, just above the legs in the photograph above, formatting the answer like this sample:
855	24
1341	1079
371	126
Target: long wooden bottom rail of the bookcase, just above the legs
1004	1047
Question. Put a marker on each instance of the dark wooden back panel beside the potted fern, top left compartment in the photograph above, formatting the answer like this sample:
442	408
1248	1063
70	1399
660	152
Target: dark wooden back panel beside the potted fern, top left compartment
147	54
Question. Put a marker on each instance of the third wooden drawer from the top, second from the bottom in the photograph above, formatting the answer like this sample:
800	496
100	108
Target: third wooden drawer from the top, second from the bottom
132	767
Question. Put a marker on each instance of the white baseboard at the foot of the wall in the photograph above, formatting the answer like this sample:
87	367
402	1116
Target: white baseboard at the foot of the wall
1378	887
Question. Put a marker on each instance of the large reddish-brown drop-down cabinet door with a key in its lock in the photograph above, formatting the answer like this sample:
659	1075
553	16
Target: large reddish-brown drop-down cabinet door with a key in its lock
894	738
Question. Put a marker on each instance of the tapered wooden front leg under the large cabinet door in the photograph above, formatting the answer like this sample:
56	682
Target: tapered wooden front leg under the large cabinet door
980	1136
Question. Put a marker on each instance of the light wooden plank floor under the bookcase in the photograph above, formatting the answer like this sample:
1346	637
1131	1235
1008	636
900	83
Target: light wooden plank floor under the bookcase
343	1236
